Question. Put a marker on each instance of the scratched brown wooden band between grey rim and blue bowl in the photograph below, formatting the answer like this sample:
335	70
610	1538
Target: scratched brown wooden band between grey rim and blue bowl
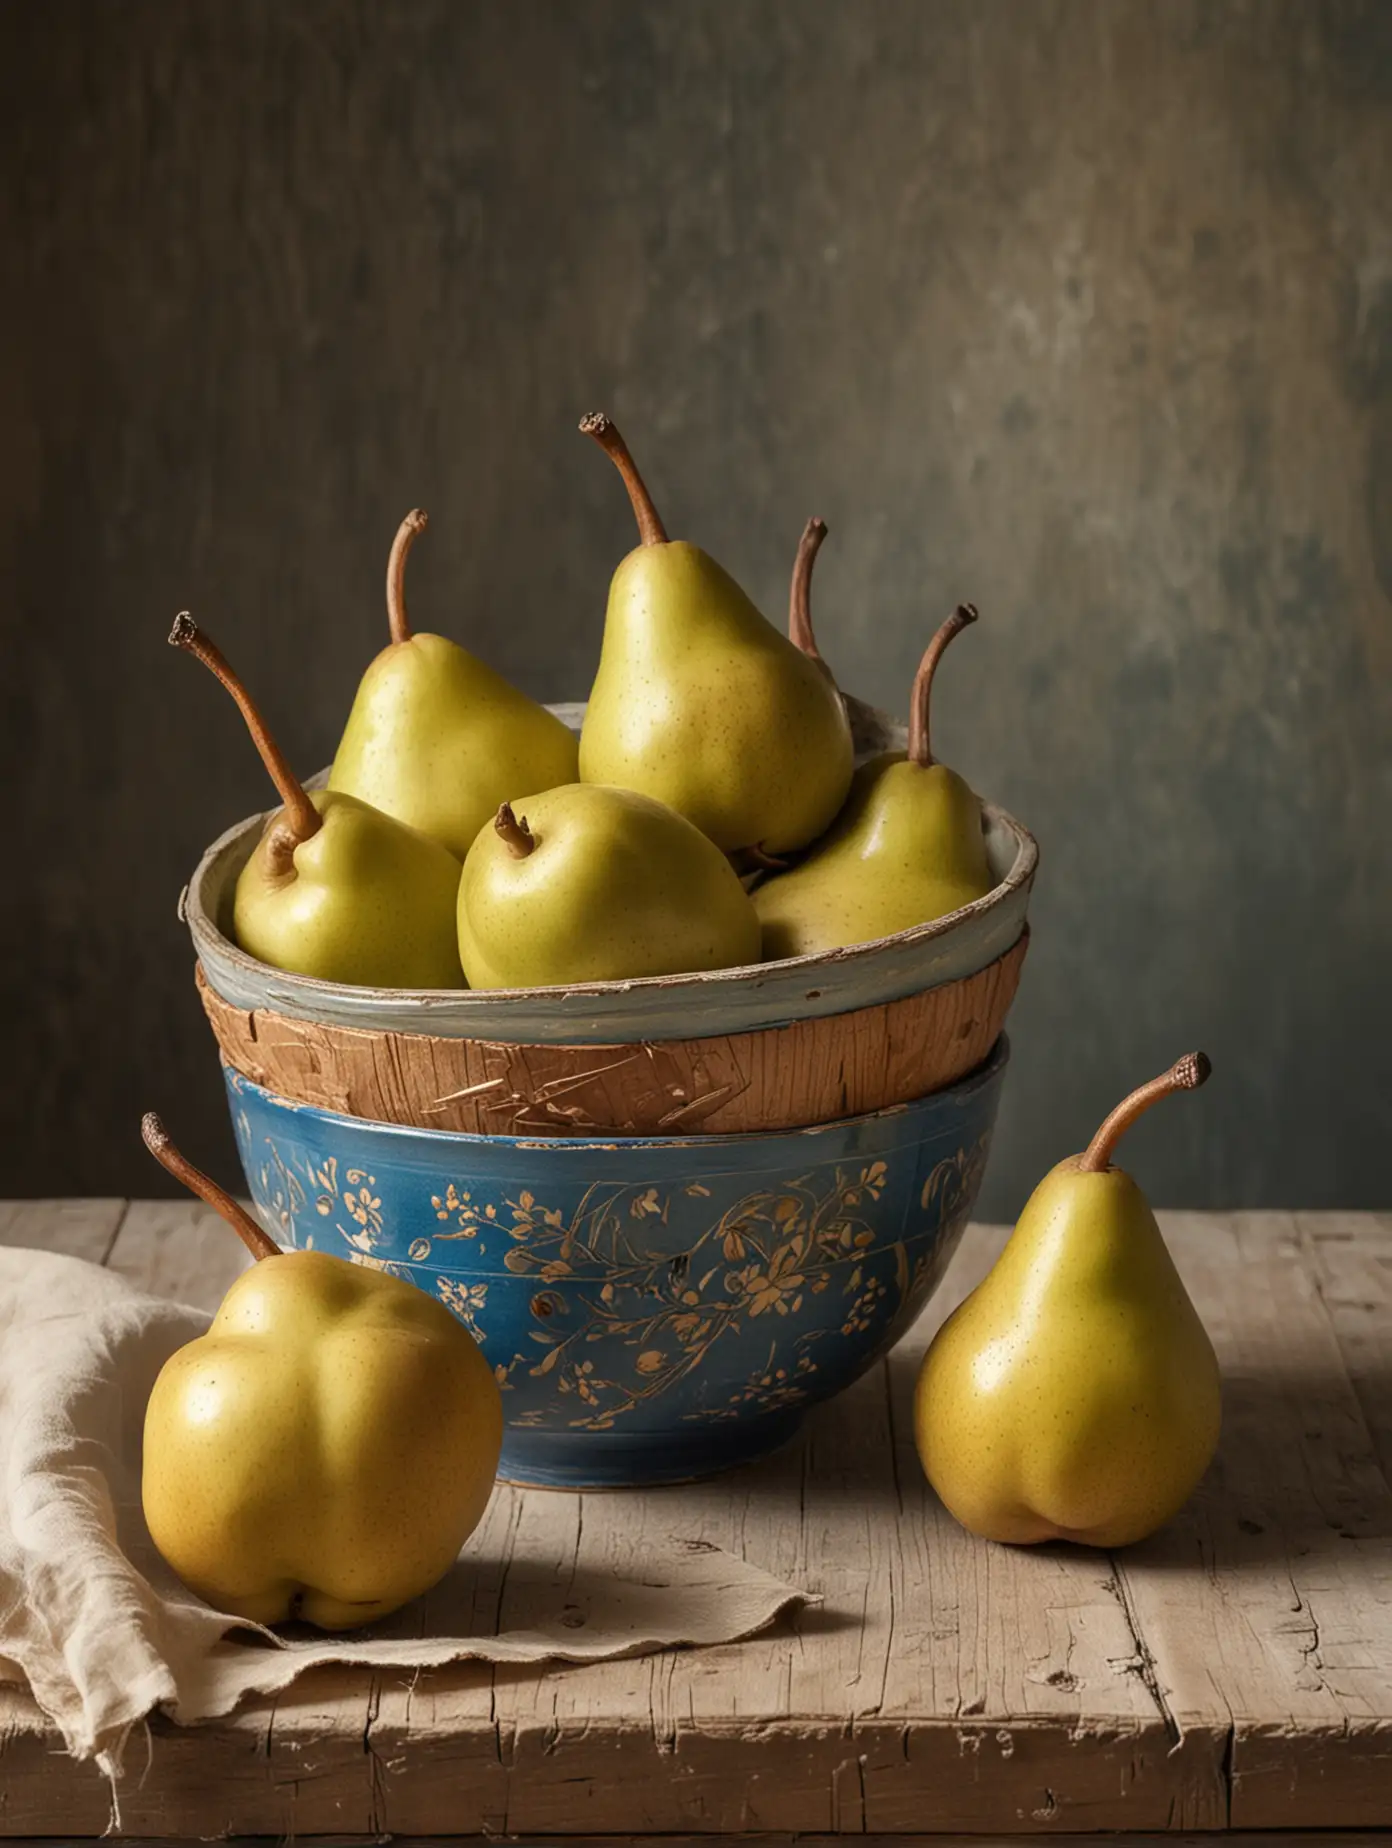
781	1078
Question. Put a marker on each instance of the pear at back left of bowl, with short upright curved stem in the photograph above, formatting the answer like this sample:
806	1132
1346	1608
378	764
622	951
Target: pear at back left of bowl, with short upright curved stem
437	738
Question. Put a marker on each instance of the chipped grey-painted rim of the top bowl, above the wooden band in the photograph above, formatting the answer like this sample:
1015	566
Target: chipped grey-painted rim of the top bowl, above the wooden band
657	1010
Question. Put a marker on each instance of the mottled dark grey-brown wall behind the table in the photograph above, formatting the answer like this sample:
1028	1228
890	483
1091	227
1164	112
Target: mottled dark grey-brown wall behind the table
1077	310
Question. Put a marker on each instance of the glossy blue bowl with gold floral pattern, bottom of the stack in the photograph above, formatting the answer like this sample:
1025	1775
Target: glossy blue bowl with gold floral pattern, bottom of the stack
653	1309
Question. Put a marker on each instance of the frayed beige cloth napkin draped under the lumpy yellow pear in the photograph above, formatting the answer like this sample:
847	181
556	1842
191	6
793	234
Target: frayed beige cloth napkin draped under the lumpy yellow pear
103	1631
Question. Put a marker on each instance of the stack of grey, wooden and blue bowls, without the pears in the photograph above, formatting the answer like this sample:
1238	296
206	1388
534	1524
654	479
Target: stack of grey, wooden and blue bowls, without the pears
676	1211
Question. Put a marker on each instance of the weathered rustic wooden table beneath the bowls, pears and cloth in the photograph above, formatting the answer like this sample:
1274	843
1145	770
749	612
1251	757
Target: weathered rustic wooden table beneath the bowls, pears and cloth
1232	1673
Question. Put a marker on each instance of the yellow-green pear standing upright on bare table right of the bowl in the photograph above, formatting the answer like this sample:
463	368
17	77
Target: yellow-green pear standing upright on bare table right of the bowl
1075	1394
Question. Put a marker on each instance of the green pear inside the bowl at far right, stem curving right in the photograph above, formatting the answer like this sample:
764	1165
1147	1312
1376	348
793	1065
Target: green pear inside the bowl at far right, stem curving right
907	847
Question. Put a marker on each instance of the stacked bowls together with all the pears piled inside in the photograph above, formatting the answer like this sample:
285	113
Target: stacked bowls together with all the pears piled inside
659	1036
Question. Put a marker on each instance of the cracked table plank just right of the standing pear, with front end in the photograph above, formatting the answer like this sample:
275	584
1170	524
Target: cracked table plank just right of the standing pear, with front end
1267	1605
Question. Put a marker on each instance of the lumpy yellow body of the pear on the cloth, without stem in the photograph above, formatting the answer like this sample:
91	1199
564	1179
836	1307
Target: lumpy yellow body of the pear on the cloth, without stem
324	1450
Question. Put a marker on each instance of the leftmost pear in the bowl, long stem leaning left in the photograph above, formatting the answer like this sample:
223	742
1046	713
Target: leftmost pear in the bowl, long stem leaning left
334	888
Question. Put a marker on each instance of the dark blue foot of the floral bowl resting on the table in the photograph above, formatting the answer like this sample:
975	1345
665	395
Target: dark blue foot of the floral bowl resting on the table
639	1461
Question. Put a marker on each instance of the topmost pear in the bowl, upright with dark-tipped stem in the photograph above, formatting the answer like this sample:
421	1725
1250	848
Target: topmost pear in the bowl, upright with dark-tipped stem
702	703
